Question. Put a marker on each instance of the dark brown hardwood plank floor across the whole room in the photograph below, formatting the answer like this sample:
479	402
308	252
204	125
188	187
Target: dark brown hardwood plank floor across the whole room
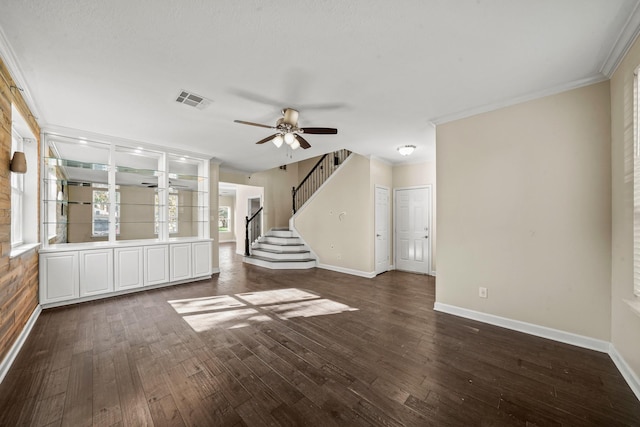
312	348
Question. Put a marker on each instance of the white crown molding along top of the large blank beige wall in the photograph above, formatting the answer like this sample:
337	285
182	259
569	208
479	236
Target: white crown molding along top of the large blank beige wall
519	99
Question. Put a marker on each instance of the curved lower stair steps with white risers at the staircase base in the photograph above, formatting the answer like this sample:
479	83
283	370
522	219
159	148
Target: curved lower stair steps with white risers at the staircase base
279	249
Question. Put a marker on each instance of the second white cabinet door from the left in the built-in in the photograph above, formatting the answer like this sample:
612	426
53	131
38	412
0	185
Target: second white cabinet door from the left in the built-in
96	272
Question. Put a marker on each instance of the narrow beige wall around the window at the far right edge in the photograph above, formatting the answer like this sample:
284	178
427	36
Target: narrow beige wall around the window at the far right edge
625	324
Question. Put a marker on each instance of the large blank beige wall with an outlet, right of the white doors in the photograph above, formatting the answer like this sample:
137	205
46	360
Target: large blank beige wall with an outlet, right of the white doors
524	208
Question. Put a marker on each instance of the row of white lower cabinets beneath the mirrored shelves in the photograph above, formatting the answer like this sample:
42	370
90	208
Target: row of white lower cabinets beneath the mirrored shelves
84	274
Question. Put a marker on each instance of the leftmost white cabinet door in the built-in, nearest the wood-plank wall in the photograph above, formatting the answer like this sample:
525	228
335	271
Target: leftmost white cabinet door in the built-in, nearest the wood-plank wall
58	277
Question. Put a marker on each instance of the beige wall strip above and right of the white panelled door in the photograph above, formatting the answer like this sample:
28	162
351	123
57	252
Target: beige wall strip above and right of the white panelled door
415	175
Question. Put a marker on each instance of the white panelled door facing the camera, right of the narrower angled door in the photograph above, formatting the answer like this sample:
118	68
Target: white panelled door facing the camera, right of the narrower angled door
413	222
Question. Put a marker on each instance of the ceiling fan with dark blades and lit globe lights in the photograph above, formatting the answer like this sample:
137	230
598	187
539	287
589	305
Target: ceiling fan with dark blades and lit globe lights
288	130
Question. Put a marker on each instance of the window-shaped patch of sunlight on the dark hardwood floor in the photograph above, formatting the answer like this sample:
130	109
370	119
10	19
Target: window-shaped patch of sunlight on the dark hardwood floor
248	308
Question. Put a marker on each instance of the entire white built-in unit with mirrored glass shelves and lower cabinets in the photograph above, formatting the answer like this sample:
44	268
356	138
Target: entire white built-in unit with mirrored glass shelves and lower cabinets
118	217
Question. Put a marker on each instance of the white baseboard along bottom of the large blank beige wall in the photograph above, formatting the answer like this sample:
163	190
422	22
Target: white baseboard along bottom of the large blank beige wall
527	328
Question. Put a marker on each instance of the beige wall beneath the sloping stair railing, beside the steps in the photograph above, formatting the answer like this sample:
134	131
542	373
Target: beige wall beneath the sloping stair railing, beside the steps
338	222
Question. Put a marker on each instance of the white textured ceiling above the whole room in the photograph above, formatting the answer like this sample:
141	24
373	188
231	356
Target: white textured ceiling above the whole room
379	71
